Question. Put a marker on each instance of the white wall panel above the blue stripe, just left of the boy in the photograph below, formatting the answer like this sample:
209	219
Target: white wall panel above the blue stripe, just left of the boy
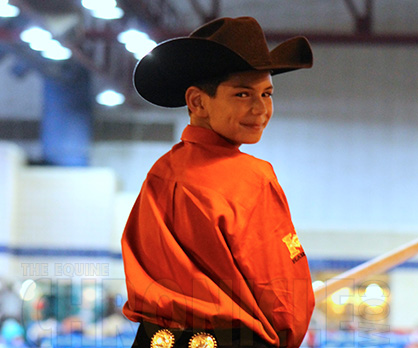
79	201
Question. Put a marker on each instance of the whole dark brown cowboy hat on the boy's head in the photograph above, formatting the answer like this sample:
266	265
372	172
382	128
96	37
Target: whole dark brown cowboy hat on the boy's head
220	47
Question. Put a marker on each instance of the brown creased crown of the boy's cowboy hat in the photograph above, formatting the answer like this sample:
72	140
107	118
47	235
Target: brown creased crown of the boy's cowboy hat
242	35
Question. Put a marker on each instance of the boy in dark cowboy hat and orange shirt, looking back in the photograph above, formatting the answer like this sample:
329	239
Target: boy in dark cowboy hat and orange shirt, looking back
210	252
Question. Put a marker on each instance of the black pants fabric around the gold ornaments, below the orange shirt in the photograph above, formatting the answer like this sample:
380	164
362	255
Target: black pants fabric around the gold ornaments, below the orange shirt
230	338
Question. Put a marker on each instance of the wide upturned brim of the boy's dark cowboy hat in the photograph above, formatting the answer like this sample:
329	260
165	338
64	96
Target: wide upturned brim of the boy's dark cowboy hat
163	76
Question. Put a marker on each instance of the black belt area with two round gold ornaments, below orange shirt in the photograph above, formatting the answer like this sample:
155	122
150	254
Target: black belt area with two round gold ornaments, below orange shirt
154	336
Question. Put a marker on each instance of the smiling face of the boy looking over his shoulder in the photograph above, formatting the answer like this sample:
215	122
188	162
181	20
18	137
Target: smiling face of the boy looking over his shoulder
241	108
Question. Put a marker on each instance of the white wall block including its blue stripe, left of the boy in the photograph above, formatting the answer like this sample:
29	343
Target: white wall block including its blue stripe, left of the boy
59	211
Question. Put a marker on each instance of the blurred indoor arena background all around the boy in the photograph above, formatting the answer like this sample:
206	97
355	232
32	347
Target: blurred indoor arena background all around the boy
76	144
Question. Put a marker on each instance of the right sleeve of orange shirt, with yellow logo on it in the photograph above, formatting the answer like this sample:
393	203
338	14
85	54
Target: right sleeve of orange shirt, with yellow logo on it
273	261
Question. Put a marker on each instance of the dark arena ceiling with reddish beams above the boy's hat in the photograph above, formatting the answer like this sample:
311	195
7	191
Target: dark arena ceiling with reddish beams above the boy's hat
94	45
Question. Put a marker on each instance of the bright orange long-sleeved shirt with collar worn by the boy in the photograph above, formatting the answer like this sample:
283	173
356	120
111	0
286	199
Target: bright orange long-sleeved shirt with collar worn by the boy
210	244
